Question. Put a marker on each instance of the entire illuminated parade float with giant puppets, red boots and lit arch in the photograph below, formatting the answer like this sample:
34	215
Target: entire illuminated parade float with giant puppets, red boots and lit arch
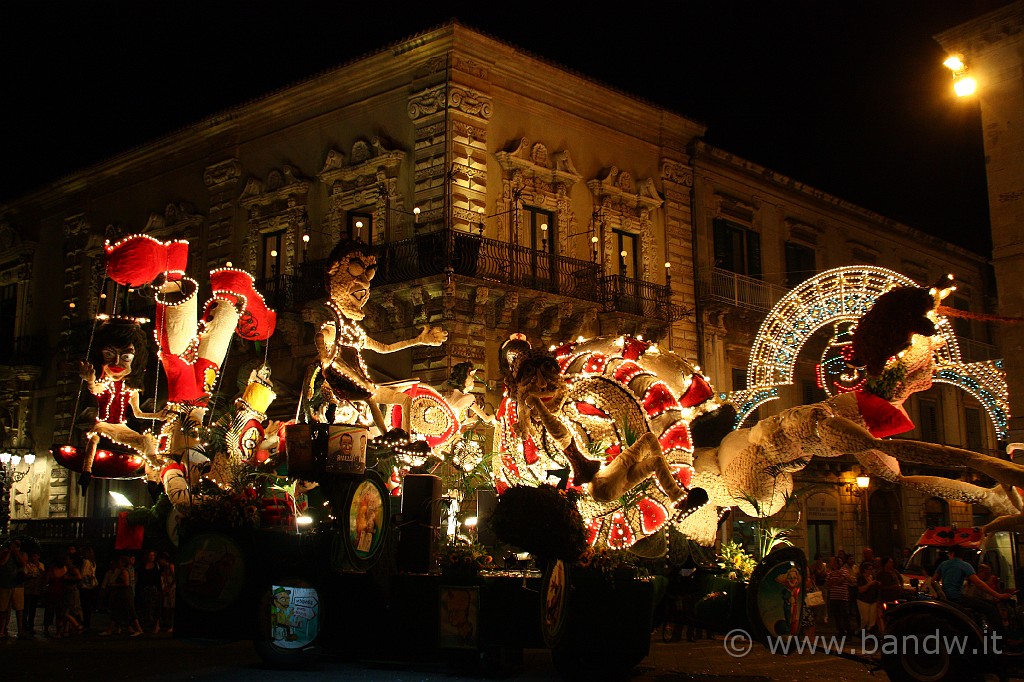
325	533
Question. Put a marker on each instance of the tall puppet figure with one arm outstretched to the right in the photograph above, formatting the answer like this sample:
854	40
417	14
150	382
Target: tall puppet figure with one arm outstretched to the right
340	343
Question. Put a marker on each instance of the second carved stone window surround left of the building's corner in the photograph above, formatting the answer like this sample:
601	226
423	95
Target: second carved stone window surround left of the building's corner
279	204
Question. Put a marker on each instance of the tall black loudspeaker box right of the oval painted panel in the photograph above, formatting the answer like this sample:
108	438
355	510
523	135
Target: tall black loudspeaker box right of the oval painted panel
421	521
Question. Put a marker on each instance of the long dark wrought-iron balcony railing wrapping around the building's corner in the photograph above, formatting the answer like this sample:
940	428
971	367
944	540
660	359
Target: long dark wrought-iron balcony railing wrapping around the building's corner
446	251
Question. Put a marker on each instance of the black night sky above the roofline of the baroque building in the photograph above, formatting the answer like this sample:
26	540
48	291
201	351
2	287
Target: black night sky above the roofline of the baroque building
848	97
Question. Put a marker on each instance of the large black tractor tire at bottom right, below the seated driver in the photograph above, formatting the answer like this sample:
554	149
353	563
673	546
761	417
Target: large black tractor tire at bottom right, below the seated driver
910	665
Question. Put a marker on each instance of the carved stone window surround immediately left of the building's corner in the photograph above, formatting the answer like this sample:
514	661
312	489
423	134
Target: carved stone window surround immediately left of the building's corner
370	178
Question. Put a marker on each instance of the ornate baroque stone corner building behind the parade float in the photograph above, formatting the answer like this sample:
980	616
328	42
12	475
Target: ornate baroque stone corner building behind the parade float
505	194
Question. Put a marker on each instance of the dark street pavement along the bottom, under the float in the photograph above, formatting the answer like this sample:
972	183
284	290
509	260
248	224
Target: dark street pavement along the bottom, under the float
154	658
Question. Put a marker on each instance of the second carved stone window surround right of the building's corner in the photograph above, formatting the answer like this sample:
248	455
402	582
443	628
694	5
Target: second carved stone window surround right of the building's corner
628	206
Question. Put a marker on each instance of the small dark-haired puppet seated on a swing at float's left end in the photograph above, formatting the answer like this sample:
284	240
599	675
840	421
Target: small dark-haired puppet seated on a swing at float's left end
121	355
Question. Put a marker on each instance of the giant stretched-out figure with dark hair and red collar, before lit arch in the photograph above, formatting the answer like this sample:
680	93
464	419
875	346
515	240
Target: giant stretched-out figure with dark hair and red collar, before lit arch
894	346
